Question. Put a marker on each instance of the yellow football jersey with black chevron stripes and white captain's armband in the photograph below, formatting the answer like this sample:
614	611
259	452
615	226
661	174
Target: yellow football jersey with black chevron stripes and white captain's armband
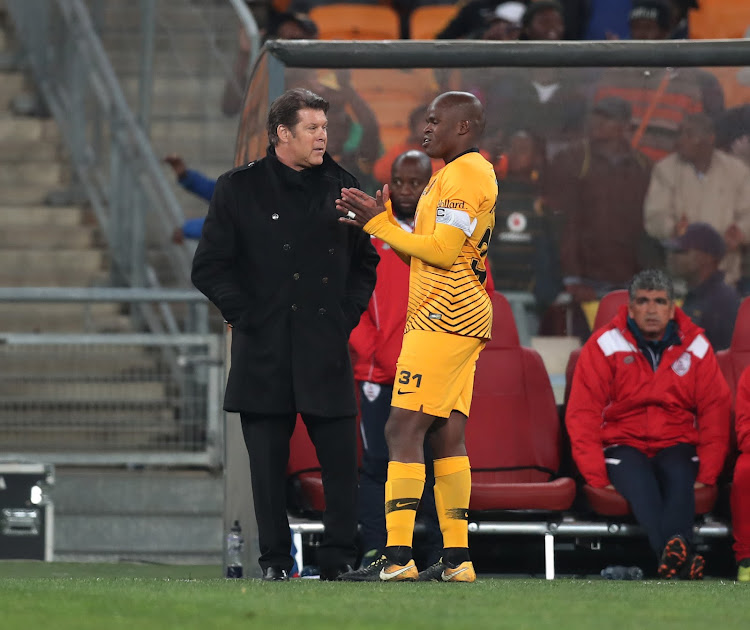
463	194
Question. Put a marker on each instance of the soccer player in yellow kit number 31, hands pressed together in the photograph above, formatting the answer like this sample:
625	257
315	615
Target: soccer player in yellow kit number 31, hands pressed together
448	322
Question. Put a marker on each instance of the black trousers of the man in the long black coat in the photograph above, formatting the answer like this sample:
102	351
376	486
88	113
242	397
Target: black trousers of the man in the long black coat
335	439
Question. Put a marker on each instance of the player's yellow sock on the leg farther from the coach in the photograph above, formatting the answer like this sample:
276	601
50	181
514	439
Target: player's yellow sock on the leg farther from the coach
452	493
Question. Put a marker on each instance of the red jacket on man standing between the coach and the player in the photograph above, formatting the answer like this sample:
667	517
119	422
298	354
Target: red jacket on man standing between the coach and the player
376	341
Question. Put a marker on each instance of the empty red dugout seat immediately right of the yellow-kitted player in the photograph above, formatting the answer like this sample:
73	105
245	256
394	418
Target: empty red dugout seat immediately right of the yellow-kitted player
513	435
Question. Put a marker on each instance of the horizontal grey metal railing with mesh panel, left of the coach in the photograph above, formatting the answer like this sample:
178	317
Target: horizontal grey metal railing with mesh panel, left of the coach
112	399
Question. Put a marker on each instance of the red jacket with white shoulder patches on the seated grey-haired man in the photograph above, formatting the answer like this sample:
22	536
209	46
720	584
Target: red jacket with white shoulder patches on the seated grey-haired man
618	399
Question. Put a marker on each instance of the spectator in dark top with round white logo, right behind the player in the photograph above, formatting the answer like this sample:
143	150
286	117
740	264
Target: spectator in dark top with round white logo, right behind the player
523	251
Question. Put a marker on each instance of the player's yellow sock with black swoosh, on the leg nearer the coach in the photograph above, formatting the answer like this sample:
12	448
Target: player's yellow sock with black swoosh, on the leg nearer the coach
403	490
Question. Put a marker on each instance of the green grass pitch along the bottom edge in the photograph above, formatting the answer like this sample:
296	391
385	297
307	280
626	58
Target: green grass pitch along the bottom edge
59	596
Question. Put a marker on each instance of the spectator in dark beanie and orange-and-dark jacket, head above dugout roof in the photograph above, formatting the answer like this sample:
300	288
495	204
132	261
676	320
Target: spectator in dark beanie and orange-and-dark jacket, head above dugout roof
661	97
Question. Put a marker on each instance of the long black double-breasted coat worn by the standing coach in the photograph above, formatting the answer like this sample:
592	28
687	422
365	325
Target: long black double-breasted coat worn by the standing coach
291	280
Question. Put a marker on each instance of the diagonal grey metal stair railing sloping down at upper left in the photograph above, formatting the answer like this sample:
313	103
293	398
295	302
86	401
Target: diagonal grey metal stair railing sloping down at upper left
112	156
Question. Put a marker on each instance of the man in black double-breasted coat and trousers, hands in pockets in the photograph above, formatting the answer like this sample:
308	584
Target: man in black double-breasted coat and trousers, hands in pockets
292	281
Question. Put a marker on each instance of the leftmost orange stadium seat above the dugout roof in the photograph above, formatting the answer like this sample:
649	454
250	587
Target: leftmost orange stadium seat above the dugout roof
355	21
